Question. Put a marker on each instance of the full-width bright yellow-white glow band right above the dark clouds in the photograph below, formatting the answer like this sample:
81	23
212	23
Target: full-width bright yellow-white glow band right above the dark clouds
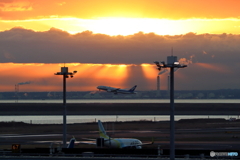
128	26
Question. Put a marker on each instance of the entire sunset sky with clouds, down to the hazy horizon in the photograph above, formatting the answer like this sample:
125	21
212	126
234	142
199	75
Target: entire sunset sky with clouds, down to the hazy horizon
114	43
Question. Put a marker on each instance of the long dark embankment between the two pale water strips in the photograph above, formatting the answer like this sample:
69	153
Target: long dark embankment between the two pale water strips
119	109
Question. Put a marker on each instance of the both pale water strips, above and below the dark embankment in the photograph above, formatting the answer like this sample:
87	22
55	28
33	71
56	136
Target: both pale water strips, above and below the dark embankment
84	119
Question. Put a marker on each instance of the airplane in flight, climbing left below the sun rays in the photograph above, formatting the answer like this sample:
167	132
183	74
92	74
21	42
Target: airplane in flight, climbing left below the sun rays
117	90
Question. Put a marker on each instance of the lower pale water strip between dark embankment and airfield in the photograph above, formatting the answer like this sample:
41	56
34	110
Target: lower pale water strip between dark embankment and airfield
85	119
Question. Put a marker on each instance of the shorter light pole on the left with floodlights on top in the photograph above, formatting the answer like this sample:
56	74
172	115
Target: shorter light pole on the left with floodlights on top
64	72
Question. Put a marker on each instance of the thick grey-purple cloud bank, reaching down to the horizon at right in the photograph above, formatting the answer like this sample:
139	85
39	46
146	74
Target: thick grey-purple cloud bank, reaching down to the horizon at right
214	59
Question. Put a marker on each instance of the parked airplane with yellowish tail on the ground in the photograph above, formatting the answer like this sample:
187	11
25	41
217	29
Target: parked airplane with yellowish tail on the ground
115	142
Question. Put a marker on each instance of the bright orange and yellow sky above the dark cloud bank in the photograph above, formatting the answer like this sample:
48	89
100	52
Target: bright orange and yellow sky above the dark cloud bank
123	17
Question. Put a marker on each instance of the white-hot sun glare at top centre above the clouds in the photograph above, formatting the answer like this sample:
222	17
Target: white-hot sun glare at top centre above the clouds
128	26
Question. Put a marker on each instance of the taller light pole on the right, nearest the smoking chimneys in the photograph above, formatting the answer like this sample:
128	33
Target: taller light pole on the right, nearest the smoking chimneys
171	63
